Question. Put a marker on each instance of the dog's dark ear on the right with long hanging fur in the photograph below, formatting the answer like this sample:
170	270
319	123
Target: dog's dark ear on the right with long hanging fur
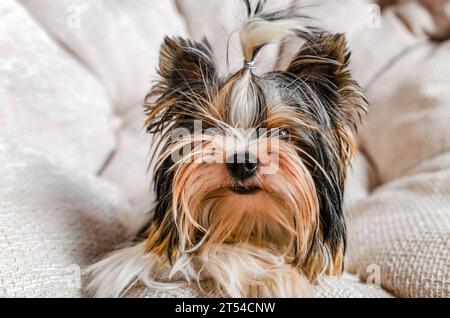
322	63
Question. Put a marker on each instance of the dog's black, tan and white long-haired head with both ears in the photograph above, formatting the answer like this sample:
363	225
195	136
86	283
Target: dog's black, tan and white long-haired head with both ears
249	159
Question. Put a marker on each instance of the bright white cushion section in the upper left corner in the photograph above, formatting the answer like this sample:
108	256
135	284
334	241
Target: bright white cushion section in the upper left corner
48	100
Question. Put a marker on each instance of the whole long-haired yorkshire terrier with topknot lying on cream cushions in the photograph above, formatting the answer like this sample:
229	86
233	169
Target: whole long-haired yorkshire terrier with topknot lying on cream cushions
249	169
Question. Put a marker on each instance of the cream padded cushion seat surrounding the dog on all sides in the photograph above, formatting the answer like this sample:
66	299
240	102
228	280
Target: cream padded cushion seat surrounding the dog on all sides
73	154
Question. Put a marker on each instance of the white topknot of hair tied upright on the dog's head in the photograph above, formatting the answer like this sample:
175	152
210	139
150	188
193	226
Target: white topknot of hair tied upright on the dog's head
264	25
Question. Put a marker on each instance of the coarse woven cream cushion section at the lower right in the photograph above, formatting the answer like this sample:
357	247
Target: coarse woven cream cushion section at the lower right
401	234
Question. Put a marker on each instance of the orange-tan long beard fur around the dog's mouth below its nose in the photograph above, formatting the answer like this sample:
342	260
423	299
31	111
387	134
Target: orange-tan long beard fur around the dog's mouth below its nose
280	214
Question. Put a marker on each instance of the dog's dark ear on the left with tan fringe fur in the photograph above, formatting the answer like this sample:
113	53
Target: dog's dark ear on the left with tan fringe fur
187	72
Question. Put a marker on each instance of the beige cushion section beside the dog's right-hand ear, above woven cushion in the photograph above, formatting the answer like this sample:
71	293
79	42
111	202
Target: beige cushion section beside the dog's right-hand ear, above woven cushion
409	116
